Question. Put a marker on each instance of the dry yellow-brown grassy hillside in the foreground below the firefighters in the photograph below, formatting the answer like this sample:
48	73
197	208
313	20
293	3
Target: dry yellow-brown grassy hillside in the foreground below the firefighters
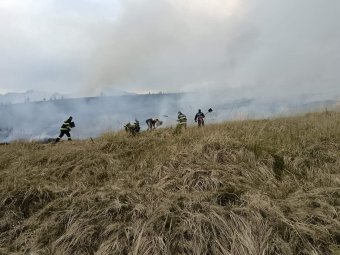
247	187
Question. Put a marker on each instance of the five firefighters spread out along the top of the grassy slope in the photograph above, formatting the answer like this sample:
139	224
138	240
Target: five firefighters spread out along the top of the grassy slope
134	128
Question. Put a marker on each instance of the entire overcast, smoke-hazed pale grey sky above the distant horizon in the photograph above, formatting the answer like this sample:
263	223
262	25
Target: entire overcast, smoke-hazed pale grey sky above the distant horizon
84	46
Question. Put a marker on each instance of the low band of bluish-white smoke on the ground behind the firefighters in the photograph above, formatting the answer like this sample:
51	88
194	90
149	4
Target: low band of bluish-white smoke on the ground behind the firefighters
94	116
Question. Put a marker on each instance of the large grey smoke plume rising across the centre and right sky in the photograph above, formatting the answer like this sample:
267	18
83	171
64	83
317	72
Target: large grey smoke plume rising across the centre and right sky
279	47
